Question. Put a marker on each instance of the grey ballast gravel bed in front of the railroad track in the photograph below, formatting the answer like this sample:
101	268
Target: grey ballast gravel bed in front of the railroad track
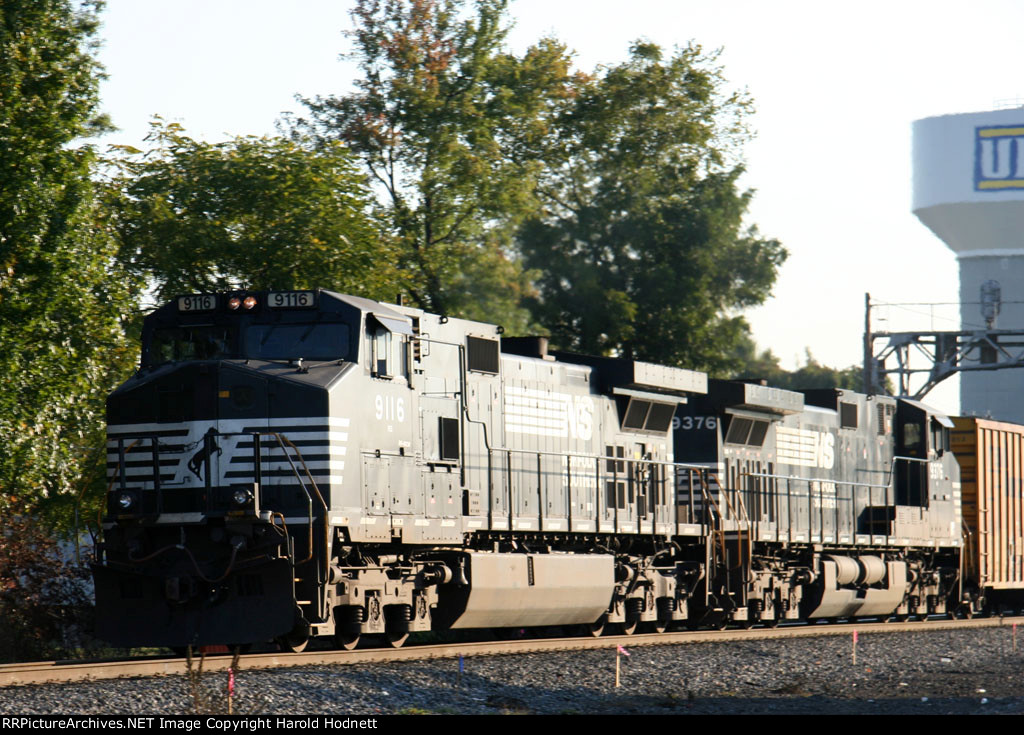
929	673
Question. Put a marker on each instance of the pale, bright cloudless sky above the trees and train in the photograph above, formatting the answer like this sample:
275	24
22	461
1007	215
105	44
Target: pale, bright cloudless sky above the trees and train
836	89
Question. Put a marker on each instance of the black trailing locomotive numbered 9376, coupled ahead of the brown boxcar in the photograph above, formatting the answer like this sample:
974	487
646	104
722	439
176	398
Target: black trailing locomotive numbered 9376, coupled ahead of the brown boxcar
827	503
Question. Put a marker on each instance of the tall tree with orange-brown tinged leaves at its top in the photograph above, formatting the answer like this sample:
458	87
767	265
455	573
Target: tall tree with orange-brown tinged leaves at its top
448	124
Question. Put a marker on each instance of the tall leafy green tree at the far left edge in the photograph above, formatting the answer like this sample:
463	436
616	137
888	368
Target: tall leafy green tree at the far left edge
62	347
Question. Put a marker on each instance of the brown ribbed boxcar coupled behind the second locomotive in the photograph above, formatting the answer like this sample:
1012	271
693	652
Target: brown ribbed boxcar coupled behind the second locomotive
992	460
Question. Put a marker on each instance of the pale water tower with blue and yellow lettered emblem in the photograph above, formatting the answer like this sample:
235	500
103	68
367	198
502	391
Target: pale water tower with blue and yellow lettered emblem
969	190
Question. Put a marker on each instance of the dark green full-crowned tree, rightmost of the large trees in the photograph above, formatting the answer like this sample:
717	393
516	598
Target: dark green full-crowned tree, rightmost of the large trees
641	248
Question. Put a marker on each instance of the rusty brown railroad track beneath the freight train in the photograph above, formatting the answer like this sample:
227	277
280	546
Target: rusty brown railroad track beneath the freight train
55	672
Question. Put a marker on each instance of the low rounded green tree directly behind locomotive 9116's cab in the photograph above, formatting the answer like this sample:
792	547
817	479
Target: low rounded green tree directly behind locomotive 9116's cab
268	213
